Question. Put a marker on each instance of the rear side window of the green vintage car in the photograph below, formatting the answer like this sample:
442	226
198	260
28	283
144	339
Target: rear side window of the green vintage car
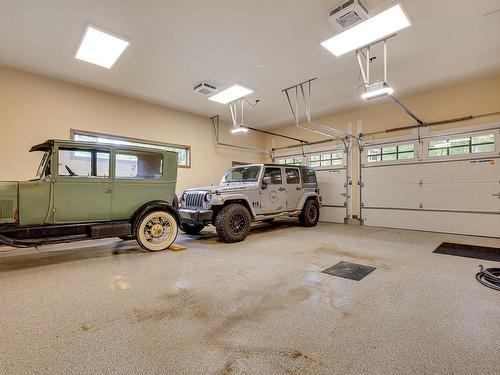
138	165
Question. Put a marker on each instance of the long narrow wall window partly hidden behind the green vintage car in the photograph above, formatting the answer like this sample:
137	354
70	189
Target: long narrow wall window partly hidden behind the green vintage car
183	152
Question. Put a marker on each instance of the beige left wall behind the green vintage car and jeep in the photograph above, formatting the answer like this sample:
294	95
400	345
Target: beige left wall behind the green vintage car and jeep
35	108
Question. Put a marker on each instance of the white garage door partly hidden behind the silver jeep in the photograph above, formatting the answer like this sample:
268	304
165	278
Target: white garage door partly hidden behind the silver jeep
331	168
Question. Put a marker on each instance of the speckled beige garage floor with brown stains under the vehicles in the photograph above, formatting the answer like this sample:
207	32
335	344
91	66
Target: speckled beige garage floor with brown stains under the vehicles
258	307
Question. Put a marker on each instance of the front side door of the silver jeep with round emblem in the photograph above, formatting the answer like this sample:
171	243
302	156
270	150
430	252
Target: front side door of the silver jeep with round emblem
273	191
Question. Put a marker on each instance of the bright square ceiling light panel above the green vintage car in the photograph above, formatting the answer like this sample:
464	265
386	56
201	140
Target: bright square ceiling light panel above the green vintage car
100	48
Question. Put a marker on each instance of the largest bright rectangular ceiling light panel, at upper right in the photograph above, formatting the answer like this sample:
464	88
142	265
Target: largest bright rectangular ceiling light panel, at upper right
375	28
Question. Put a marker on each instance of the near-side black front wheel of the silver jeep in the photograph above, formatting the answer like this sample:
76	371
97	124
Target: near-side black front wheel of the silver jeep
233	223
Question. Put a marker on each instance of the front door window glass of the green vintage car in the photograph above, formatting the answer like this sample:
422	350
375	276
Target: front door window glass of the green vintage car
83	163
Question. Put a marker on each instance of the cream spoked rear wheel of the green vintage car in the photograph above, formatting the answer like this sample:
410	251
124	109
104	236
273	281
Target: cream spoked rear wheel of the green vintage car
156	231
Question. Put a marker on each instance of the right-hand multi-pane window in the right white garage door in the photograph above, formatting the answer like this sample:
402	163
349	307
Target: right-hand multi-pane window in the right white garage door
462	146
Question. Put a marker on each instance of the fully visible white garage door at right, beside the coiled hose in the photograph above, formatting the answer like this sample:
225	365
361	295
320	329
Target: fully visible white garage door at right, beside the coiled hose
446	183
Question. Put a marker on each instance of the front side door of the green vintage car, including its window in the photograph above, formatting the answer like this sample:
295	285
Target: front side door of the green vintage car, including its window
82	185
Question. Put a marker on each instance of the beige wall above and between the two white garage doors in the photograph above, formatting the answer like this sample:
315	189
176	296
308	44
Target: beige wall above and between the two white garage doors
477	97
